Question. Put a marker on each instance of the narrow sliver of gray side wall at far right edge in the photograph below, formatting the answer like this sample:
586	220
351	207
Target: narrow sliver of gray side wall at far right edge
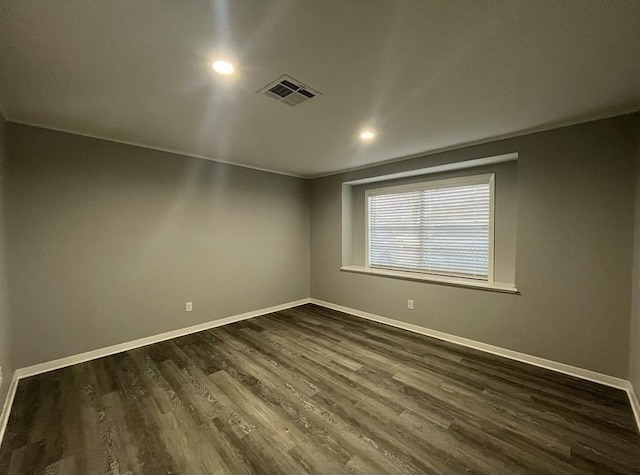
634	333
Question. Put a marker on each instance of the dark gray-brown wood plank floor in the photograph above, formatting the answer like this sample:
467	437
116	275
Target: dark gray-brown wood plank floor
314	390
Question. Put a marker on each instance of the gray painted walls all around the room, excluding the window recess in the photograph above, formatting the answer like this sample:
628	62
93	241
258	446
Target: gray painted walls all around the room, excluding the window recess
108	241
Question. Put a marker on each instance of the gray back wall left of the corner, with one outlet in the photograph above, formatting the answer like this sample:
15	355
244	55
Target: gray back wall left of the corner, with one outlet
108	242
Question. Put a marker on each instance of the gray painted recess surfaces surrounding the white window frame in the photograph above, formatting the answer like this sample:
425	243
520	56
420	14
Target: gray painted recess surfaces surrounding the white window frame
505	217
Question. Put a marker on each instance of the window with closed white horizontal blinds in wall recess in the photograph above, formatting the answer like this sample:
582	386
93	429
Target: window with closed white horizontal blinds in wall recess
440	227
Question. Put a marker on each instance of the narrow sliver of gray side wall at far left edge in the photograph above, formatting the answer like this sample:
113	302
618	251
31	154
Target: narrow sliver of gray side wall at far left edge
5	356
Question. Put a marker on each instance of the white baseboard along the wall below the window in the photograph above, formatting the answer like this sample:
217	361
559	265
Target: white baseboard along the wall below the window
496	350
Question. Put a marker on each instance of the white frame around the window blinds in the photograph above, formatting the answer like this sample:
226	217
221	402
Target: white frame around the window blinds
430	185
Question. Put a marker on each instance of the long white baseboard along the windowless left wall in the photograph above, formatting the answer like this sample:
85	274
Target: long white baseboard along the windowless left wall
130	345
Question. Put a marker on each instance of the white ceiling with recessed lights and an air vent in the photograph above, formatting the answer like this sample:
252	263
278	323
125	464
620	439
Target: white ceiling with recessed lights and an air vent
426	74
